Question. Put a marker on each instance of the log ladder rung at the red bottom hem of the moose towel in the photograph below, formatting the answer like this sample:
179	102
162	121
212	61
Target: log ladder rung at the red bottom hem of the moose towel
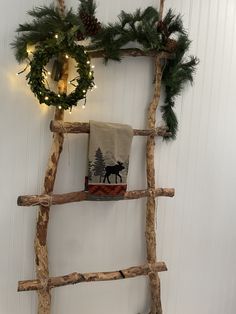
58	199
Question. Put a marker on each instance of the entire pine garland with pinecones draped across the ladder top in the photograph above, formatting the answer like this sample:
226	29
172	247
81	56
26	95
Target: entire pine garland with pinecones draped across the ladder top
143	27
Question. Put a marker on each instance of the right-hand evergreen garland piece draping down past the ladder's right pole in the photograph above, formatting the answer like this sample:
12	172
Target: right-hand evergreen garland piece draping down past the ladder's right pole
145	28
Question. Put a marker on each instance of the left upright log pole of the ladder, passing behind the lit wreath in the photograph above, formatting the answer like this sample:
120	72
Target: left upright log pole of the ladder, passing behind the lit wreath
40	243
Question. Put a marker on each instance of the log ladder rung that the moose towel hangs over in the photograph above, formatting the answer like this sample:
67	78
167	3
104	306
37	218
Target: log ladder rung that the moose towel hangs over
83	127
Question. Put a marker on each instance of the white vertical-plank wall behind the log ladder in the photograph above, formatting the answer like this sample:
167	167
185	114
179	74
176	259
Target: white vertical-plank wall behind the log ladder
196	229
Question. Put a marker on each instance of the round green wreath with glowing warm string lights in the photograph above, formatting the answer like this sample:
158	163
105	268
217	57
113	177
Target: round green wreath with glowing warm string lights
36	76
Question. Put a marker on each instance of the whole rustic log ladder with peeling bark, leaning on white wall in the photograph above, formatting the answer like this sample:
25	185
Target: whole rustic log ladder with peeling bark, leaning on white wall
44	283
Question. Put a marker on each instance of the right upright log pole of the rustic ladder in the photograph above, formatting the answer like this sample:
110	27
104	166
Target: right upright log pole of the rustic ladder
156	307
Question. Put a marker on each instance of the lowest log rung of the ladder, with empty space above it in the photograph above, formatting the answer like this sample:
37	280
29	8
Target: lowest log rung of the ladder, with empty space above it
75	278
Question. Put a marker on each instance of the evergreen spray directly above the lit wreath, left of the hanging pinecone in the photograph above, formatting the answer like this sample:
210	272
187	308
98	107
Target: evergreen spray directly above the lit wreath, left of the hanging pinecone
47	21
